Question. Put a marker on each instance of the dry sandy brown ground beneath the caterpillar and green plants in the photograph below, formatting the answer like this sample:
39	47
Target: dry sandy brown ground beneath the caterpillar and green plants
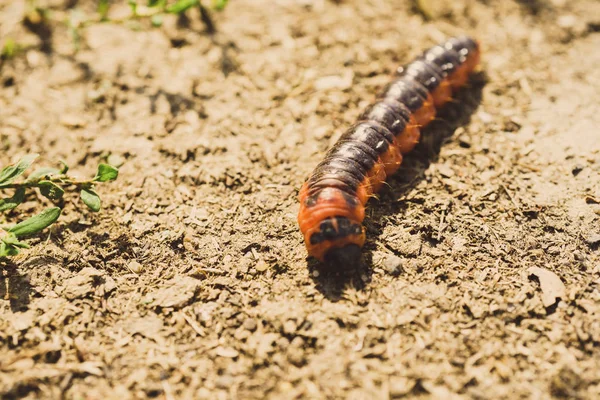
193	281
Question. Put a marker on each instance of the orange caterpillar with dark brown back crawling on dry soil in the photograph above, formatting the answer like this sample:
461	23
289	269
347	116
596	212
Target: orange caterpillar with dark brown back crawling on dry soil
333	198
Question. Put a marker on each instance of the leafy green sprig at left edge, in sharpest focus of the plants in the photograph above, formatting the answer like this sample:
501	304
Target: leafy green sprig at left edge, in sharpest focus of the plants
51	183
